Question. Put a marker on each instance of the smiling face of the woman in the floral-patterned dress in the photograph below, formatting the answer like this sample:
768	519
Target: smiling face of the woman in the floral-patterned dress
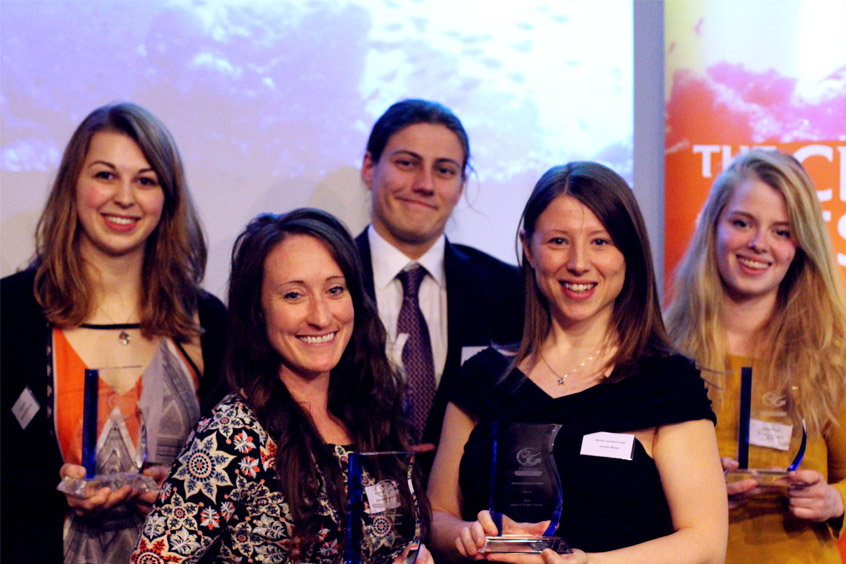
307	307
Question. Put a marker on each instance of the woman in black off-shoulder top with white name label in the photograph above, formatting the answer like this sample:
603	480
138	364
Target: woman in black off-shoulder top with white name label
594	357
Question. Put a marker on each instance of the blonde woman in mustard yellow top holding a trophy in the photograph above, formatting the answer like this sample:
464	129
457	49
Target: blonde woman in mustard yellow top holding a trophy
759	287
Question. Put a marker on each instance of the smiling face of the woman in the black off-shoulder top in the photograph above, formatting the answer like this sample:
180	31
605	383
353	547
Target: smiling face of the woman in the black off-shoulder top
577	266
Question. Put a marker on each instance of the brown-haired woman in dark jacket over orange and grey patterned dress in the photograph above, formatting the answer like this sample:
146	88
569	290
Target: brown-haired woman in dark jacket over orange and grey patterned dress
114	286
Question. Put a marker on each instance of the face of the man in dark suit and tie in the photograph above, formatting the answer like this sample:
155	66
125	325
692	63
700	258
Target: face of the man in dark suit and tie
415	185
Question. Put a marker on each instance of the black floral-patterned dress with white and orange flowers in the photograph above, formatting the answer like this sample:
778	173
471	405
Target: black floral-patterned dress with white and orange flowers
222	496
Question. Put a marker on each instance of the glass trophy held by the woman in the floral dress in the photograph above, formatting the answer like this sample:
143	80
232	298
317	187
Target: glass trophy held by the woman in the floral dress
383	518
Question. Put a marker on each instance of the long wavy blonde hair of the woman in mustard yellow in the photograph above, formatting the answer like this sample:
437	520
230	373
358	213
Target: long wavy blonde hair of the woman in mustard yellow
803	346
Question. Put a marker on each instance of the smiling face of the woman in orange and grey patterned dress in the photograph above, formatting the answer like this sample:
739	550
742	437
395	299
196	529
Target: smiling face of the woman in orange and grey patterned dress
118	197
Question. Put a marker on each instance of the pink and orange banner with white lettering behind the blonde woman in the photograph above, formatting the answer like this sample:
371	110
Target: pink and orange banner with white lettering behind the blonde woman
729	90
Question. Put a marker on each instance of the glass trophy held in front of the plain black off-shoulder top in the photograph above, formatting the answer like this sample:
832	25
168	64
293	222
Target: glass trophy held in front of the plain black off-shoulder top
524	486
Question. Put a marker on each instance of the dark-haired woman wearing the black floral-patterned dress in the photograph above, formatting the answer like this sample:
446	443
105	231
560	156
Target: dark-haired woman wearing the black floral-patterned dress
263	478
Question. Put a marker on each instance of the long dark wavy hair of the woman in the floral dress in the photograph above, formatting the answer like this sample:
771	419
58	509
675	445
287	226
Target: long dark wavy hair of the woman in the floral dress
365	391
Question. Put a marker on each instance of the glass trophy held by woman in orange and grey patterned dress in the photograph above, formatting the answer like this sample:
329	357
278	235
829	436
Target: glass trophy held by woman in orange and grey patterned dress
110	470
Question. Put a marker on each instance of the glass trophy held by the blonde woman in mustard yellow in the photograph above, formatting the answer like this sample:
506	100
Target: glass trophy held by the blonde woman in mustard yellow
771	438
